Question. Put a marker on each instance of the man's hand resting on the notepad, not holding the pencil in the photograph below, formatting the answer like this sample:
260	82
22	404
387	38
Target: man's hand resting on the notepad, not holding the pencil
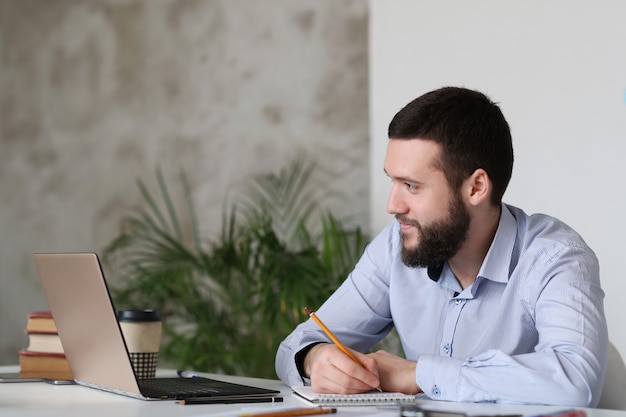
396	374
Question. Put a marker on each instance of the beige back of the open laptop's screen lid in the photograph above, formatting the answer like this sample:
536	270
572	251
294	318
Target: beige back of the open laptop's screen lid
83	311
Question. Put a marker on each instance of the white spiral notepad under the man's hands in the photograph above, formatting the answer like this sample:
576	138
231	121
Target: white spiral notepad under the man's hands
372	398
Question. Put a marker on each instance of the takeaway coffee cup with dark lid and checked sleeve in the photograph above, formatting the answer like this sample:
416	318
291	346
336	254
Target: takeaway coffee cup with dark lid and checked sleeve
142	334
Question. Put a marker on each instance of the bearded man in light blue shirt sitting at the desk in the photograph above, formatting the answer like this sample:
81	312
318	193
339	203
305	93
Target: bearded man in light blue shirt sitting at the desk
490	304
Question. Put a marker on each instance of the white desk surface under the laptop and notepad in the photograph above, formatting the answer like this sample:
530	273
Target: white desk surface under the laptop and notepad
43	400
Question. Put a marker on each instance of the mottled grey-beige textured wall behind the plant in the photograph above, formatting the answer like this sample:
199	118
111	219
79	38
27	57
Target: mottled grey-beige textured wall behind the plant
94	94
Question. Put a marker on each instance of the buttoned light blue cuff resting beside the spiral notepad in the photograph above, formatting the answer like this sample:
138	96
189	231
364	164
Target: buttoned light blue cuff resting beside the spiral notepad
438	376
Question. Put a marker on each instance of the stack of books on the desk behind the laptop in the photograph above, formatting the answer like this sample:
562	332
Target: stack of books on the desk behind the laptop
44	357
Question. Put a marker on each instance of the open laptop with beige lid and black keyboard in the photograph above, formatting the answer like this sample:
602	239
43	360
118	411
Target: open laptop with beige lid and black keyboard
93	342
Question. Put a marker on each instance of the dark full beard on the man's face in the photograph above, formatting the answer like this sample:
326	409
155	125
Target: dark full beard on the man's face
439	241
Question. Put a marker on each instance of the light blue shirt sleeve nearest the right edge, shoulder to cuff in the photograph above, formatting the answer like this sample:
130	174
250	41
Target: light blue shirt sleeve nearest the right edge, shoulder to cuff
564	298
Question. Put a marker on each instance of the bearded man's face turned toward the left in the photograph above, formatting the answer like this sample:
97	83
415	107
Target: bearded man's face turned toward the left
434	221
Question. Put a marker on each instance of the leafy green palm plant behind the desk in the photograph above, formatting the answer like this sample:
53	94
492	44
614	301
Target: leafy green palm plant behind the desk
227	302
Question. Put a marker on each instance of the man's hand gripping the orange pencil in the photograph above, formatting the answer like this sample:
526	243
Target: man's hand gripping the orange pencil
332	371
